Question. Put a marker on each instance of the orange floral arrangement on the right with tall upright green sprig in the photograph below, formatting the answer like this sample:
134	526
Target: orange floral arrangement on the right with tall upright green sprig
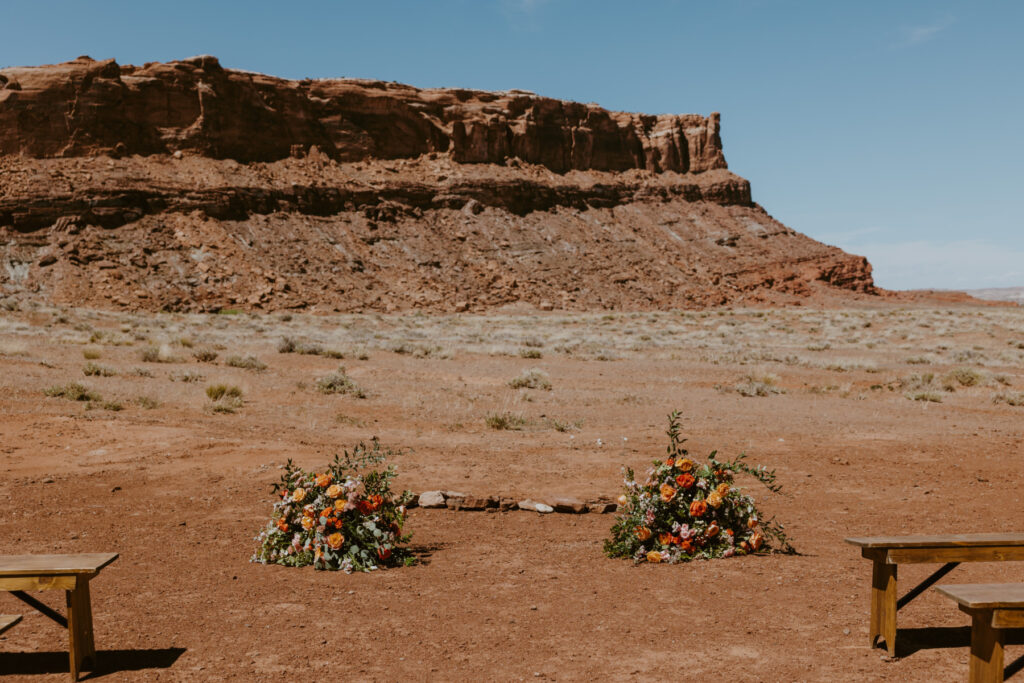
687	511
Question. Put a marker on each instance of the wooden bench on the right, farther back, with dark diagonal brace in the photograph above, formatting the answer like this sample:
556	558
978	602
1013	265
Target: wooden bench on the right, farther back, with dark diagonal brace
889	552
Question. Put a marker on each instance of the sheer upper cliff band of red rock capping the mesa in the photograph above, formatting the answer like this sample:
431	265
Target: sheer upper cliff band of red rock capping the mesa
87	107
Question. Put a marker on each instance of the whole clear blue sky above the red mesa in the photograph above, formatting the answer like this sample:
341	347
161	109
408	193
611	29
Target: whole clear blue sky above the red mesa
891	130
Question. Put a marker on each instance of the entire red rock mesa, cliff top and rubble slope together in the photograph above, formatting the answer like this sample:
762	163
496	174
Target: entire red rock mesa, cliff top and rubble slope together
186	186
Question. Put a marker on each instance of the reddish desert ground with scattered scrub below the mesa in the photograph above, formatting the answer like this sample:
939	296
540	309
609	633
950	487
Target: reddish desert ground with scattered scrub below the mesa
884	420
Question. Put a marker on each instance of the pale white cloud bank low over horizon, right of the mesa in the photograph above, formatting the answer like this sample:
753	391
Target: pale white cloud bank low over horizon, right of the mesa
961	265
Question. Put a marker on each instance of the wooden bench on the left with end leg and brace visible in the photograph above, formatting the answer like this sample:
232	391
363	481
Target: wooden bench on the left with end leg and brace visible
63	573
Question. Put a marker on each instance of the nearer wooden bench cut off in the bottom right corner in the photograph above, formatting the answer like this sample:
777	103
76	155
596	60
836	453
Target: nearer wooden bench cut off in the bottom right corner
993	608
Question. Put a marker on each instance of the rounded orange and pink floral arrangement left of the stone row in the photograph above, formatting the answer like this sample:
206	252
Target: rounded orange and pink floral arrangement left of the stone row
345	519
